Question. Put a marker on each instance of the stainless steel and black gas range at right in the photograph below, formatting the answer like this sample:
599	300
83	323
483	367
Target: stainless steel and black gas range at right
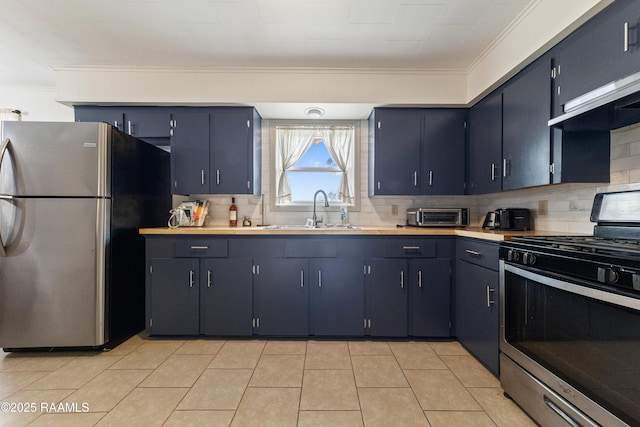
570	320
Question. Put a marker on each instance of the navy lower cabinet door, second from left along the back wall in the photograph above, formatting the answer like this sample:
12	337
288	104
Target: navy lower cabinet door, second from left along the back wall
226	296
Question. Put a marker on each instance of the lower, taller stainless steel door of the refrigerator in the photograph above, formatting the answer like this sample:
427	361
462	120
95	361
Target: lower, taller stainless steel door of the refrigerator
52	279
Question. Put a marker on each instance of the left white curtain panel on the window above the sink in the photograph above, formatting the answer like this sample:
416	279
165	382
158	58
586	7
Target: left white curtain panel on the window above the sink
292	144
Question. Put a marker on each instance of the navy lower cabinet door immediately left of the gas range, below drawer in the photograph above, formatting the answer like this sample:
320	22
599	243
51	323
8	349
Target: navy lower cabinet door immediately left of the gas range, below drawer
477	321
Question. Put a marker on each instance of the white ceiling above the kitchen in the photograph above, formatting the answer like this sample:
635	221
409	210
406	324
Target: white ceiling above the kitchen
36	35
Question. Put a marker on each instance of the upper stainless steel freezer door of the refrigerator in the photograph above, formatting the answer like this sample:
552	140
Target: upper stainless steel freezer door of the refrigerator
56	159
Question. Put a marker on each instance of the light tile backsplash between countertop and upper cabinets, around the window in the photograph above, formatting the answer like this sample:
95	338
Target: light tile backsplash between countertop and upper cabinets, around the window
568	205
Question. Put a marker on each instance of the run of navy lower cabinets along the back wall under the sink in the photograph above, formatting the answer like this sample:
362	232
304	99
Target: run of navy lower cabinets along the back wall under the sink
288	287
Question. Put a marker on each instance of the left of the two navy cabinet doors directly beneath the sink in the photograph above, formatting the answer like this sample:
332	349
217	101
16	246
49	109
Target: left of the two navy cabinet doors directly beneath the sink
282	296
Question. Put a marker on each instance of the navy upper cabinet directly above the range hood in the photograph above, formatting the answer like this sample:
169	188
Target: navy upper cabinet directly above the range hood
605	49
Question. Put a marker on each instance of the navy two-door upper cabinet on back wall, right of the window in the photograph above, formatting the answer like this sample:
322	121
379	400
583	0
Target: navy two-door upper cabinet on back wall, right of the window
415	151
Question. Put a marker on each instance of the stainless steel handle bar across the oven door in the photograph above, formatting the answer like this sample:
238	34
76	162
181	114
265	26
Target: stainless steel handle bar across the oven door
610	297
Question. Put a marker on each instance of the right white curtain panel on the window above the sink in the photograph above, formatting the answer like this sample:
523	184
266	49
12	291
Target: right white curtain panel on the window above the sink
339	143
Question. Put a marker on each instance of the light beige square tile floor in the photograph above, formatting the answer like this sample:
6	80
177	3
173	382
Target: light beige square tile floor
254	383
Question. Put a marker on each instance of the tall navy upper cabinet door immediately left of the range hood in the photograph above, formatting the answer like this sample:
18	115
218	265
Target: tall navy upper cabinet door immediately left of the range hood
526	145
